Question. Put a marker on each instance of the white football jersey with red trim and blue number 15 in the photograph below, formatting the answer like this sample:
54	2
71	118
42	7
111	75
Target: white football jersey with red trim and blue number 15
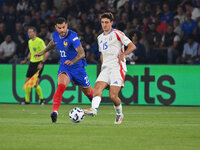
111	46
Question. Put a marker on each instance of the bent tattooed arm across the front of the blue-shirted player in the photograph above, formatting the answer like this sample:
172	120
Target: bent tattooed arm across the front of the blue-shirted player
79	56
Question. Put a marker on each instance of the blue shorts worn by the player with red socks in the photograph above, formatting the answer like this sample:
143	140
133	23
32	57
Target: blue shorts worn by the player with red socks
78	75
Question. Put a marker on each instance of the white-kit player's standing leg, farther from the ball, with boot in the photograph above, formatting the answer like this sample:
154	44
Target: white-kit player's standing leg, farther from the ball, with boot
113	92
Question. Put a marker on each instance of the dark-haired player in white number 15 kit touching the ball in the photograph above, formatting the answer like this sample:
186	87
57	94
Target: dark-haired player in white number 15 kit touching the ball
111	45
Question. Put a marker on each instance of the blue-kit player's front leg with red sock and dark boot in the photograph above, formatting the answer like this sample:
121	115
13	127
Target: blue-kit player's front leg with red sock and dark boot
63	81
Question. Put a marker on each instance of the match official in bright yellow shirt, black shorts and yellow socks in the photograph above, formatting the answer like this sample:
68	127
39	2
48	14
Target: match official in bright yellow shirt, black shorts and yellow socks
35	45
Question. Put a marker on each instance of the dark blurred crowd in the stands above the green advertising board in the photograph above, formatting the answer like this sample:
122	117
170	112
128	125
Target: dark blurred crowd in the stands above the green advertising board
155	26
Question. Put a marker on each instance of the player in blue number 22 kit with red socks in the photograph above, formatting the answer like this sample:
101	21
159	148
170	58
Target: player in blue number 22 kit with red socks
72	64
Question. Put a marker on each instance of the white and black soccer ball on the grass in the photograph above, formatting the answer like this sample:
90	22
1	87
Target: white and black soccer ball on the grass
76	115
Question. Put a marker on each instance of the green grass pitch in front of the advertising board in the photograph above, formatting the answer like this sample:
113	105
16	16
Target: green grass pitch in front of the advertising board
28	127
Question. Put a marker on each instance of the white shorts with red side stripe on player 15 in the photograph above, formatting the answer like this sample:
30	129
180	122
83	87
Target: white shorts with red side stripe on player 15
114	77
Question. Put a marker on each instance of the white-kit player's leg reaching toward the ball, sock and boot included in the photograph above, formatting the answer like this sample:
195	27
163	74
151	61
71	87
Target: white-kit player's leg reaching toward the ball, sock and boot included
98	89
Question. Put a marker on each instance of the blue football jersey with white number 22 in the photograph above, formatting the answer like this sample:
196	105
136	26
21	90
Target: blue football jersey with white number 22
66	47
